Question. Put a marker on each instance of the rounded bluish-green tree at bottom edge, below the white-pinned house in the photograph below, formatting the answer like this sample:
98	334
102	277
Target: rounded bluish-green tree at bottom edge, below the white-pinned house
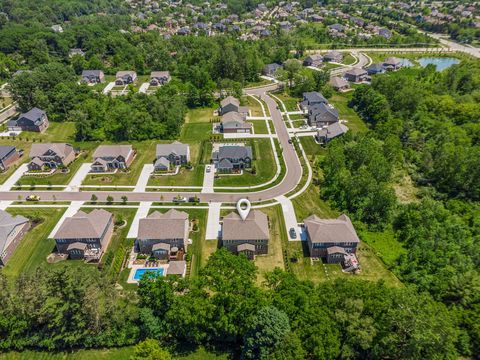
268	328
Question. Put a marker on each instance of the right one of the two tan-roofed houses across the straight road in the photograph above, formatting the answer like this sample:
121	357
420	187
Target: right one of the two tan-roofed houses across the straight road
111	157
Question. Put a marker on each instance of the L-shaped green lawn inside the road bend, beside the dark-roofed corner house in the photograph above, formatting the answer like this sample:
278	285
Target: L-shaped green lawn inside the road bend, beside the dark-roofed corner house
264	163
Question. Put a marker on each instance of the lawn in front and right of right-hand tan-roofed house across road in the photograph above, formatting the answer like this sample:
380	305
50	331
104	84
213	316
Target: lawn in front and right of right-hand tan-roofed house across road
145	155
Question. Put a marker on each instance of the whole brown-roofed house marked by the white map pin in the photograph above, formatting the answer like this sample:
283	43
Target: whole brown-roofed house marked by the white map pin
249	236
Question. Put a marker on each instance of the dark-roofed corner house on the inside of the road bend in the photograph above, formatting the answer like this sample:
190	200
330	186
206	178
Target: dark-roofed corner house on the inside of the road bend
233	158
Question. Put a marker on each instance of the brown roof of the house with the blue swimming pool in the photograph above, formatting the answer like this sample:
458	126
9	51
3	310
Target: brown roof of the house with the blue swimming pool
157	226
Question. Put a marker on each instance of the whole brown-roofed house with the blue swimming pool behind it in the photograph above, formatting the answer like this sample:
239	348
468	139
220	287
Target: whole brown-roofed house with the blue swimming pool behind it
163	235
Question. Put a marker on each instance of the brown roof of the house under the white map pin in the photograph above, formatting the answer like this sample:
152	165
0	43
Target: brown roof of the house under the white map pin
254	227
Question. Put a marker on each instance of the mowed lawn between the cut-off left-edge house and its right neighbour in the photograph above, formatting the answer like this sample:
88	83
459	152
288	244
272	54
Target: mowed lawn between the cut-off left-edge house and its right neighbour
33	250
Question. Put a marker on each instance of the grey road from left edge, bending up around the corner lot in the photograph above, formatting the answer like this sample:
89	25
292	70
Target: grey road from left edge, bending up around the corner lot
289	182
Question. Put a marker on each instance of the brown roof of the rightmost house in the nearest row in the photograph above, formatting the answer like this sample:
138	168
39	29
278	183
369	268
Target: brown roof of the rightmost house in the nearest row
339	230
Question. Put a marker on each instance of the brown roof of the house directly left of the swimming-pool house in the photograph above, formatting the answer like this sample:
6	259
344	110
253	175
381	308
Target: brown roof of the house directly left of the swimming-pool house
84	226
